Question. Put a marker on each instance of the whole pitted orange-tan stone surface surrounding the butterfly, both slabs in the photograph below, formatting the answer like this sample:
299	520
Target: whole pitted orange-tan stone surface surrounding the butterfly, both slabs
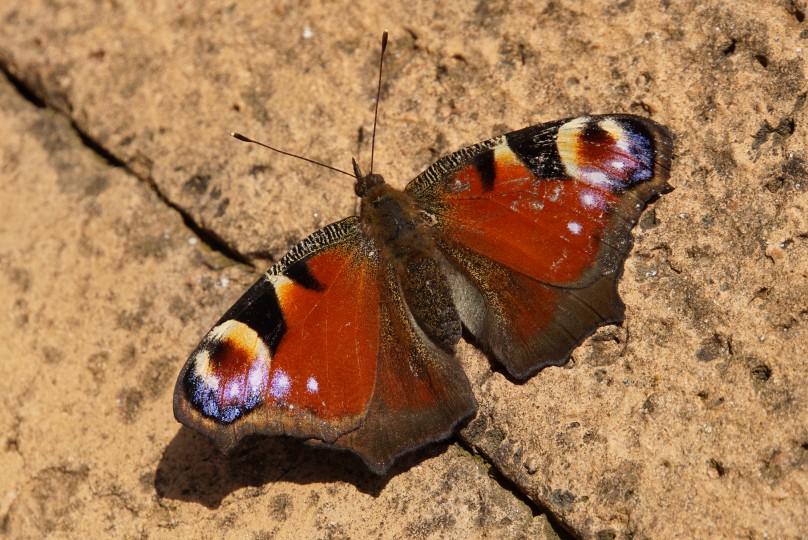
691	419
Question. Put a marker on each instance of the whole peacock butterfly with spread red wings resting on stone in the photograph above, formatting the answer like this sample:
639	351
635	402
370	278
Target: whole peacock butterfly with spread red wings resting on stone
349	339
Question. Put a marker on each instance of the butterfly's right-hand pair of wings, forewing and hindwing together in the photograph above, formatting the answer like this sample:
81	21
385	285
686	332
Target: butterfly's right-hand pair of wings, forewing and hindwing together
535	226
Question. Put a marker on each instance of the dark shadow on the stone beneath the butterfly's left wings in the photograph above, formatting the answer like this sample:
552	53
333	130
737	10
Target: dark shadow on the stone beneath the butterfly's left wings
193	470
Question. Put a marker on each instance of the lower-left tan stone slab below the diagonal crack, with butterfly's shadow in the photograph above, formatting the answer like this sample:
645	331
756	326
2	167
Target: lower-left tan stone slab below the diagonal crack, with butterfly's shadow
100	283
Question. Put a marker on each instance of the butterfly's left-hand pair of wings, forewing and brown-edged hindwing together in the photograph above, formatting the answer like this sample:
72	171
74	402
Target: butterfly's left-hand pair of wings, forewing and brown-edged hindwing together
321	347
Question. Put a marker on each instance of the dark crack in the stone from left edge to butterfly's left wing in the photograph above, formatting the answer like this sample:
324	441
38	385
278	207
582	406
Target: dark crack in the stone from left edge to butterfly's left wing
207	236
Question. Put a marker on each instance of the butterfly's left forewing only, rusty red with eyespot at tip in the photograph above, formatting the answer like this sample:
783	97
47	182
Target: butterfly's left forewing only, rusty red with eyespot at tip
297	354
